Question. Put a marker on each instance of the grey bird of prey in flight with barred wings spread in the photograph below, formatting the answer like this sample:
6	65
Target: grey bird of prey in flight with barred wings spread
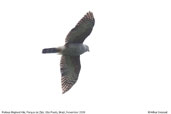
70	61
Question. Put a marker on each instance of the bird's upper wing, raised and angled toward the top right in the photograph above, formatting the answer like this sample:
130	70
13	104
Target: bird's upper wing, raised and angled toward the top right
81	30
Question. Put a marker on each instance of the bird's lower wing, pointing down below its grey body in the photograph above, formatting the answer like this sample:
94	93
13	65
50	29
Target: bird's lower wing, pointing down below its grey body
70	68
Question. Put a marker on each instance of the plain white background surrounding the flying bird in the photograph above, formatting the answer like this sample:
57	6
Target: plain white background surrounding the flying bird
127	70
